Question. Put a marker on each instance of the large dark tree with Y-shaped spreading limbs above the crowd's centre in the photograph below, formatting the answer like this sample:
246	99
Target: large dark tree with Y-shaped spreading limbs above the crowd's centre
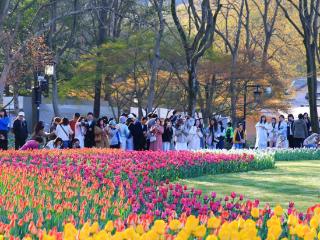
205	24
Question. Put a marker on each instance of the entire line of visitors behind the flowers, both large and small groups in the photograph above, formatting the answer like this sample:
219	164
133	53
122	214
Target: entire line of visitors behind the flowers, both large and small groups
178	132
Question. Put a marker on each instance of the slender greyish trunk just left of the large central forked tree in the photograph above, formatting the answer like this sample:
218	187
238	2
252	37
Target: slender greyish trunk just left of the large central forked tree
156	58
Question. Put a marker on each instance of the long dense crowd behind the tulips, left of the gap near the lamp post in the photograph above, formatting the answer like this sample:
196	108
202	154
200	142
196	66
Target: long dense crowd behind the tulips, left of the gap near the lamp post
177	132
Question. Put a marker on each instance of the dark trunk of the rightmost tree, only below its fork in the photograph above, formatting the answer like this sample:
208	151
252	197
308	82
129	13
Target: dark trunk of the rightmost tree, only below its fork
312	85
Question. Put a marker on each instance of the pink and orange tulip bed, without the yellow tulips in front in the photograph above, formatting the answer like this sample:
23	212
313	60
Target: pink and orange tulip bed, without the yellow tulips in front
46	189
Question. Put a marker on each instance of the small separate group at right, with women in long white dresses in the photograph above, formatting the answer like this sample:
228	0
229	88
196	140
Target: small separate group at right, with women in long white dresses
286	134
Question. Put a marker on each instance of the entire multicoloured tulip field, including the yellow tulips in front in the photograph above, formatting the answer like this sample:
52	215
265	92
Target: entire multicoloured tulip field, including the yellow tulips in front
110	194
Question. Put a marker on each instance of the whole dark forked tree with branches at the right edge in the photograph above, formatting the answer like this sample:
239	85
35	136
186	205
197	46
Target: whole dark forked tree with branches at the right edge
308	11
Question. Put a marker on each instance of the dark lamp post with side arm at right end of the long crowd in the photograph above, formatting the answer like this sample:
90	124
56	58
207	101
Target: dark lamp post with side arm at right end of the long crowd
256	93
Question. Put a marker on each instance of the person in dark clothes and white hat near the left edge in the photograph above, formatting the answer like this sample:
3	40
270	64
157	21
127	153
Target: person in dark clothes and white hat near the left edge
20	130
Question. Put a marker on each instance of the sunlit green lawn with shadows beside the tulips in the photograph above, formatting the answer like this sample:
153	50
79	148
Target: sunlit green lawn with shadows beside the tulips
297	181
